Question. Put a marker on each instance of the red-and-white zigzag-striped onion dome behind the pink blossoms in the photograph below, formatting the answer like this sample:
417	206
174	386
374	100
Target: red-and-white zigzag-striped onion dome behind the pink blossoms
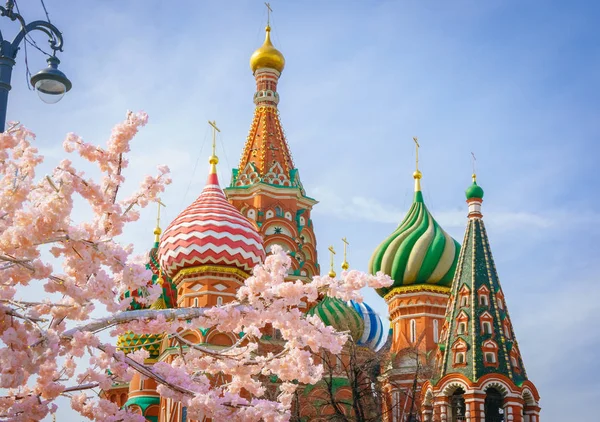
210	231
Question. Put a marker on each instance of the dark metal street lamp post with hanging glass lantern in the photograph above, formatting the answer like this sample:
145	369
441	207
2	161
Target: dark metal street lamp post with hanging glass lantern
50	83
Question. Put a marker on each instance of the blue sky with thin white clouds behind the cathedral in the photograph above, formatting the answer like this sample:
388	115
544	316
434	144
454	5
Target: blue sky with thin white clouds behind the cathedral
515	82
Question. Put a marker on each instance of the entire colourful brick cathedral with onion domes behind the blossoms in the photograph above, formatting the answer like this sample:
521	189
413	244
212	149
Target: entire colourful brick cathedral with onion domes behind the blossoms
451	351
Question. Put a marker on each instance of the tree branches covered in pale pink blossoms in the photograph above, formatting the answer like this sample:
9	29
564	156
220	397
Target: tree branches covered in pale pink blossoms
51	348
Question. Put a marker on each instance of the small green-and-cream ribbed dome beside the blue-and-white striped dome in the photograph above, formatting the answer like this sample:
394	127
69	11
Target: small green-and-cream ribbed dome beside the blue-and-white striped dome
335	313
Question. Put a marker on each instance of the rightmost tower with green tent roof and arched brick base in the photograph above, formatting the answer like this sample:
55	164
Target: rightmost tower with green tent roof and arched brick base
479	369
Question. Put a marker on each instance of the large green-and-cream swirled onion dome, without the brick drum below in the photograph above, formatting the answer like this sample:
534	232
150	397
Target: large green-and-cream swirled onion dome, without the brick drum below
419	251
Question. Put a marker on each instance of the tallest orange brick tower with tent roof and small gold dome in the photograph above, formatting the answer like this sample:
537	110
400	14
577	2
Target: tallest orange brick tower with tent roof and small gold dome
266	185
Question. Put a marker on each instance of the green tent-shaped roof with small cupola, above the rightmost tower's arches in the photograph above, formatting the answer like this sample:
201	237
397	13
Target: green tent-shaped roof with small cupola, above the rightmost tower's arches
478	338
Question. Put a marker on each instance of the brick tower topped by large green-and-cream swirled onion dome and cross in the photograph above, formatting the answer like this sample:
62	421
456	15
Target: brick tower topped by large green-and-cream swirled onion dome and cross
421	259
